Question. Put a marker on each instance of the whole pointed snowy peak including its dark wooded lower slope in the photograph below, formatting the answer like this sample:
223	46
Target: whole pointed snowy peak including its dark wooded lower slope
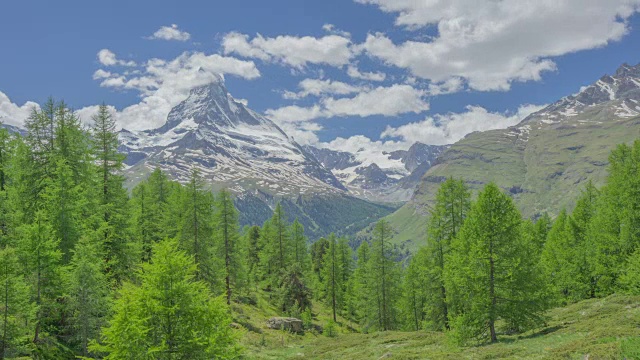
233	147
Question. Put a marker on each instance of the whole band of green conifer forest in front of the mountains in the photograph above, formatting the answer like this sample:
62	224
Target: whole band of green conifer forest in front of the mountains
89	269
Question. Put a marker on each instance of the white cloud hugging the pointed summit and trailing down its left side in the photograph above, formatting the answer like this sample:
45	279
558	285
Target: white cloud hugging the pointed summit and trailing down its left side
163	84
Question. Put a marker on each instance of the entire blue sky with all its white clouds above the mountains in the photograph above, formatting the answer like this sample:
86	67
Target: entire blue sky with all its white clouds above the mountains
495	58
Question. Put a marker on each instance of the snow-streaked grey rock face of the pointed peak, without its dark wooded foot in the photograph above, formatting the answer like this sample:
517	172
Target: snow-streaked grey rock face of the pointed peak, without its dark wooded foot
231	145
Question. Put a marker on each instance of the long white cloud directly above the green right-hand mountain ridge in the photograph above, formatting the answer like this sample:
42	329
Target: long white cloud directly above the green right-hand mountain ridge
451	127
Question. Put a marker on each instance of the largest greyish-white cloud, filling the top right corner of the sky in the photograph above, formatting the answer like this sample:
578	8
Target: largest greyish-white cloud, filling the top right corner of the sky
492	43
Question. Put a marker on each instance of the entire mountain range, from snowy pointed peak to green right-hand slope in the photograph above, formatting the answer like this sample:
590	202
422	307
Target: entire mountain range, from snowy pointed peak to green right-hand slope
544	161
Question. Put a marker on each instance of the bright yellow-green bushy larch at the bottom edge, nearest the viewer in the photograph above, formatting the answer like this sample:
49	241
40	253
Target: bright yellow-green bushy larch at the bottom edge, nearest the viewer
169	315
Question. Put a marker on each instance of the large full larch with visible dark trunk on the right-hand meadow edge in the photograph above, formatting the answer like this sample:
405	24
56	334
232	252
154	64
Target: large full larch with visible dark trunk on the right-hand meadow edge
490	266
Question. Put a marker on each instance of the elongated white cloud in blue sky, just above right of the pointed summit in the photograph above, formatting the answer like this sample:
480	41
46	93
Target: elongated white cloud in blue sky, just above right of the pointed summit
297	52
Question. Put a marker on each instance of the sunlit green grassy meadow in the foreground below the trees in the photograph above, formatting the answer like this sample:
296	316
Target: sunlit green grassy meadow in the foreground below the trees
593	329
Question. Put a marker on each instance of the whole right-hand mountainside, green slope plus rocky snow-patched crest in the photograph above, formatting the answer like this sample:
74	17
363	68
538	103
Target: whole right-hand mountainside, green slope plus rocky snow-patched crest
545	160
